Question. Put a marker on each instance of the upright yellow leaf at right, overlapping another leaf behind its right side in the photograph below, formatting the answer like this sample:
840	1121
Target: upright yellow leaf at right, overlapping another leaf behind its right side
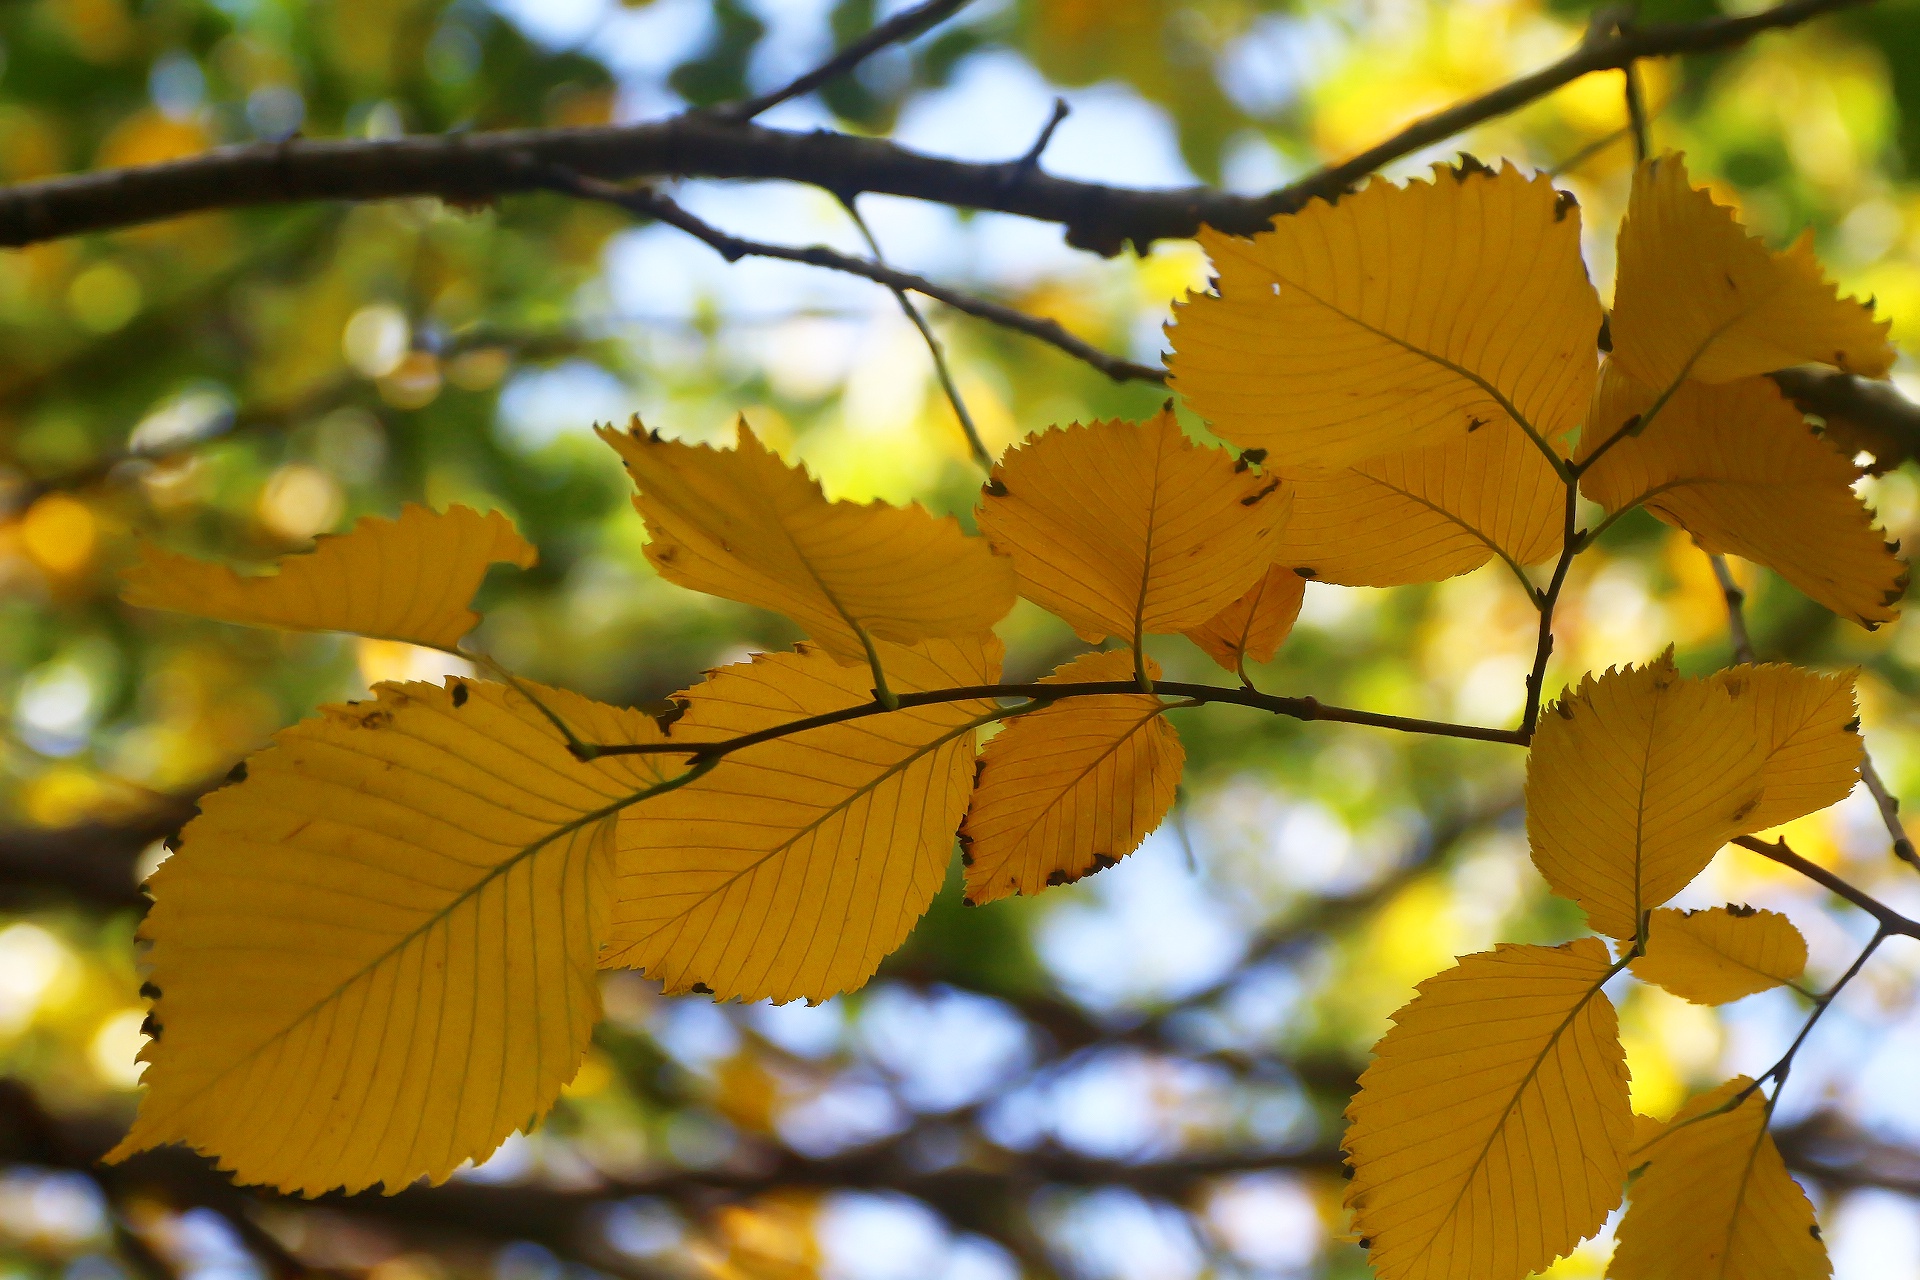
1633	786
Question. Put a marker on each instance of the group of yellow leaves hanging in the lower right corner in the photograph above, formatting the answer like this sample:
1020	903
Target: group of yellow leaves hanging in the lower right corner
1504	1083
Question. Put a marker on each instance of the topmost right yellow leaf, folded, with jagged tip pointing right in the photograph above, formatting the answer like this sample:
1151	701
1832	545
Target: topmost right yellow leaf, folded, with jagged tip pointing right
1696	296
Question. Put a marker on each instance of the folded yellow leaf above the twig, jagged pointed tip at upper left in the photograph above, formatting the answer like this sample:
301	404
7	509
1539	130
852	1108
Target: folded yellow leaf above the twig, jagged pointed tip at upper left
744	525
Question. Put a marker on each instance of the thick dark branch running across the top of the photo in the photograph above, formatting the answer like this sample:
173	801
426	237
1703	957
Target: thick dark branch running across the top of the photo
481	168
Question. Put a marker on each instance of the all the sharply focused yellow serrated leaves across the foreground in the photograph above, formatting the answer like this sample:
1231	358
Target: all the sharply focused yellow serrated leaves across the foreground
416	891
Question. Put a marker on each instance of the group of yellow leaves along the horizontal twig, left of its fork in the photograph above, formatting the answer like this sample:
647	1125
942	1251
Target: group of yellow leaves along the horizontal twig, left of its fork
416	891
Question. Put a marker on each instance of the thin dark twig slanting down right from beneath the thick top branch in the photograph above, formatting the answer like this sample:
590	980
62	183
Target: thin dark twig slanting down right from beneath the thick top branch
652	204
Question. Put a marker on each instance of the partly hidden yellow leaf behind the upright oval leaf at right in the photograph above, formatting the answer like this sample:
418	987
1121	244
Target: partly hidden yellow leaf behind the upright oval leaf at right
1812	736
